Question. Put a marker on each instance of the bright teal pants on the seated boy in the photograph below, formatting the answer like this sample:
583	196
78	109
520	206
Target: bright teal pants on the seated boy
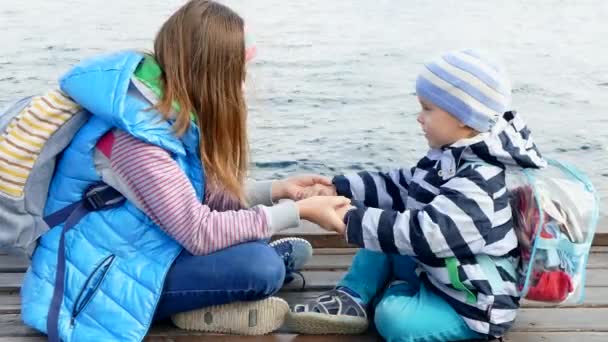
408	310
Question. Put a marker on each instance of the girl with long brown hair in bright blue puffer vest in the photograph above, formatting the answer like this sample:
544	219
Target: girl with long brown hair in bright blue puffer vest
168	130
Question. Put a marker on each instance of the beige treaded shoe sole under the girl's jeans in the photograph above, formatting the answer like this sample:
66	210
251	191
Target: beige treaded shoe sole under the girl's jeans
242	318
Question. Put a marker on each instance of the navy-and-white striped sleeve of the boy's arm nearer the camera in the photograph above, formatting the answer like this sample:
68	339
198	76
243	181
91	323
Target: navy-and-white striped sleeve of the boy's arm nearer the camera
456	222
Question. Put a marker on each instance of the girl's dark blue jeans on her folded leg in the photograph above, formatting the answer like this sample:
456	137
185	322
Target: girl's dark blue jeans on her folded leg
245	272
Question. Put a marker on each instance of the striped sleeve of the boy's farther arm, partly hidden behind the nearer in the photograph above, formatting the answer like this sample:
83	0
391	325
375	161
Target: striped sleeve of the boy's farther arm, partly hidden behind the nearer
384	190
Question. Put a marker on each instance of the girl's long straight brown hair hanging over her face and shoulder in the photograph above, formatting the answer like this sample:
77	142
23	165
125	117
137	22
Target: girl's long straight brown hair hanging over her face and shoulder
201	50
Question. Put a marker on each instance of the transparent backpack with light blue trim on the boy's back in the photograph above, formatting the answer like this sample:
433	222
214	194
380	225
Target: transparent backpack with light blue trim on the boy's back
555	214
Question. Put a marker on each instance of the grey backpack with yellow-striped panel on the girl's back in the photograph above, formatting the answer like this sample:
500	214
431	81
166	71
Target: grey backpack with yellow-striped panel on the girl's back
33	133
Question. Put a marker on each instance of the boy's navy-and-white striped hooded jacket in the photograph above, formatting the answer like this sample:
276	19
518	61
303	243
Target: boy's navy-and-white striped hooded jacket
453	203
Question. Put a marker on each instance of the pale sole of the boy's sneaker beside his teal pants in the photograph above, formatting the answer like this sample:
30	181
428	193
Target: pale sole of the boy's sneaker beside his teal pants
322	324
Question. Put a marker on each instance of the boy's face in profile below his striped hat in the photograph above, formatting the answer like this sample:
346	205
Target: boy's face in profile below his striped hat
441	128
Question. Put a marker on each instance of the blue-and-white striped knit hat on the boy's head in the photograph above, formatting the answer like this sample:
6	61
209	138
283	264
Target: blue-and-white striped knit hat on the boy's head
467	85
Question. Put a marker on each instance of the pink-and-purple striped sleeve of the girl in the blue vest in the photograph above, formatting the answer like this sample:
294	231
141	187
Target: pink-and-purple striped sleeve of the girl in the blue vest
167	197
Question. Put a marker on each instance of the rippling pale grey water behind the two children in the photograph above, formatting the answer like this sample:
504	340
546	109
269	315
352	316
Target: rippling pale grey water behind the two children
332	87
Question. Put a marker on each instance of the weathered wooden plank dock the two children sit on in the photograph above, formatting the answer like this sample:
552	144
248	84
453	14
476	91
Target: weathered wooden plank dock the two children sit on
536	322
